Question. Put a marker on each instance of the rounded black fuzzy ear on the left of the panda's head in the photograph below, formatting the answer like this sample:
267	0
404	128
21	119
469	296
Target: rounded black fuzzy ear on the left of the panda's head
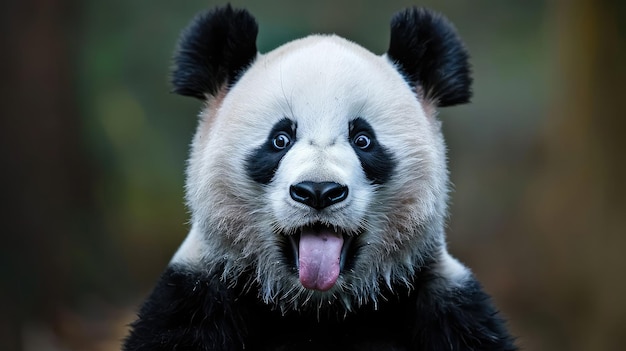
213	51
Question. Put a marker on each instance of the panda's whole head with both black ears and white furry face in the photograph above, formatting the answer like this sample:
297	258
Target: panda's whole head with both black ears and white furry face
318	170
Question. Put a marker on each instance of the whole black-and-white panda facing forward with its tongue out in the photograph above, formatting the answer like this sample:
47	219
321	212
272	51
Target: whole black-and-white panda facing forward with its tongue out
317	187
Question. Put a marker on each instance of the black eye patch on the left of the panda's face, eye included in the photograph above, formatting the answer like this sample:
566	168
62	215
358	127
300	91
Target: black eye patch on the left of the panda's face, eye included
263	161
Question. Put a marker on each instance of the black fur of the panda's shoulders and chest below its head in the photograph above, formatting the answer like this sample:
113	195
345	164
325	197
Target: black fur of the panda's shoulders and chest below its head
197	311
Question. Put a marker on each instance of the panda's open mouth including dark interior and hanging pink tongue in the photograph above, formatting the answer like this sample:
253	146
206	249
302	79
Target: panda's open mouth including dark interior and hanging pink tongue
320	253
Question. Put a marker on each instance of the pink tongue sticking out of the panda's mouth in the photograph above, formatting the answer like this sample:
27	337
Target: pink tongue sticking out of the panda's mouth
319	255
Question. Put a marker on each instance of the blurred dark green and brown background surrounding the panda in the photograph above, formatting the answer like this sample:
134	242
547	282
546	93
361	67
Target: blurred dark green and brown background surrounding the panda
93	149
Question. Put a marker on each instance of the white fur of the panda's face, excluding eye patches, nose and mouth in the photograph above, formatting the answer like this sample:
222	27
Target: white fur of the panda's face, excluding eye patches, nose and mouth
321	83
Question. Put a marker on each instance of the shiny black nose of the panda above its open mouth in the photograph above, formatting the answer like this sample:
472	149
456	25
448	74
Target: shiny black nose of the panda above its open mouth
318	195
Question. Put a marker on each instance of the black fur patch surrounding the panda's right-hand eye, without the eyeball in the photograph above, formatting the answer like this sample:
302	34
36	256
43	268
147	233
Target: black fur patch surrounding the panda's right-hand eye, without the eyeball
376	160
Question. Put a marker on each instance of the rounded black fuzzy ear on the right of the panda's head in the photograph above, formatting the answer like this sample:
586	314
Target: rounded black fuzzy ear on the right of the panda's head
427	50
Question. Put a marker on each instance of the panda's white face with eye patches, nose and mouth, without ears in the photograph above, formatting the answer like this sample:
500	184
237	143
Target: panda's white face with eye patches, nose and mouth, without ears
320	171
